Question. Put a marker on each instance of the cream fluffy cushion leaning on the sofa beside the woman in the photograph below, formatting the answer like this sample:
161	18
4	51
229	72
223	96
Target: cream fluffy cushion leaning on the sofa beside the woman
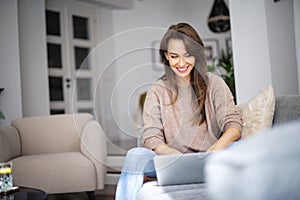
257	114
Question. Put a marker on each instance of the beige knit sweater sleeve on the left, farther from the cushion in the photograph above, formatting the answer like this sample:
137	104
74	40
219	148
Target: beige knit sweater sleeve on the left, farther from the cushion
153	128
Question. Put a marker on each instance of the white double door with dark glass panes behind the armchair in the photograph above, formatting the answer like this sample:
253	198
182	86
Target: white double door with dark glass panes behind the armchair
69	41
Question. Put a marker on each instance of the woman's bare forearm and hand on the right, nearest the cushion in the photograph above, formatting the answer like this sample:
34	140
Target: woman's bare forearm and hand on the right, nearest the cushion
229	136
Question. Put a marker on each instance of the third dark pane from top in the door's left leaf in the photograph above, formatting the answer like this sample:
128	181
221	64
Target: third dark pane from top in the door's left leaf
56	88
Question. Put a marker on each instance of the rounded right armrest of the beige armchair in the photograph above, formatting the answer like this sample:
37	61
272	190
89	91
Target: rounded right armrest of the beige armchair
93	146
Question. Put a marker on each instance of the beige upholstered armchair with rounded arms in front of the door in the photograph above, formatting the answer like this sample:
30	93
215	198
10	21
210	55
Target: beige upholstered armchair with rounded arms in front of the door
57	153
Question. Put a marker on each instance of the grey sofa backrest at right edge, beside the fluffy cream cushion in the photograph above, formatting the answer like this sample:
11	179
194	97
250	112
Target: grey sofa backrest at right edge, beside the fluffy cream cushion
287	108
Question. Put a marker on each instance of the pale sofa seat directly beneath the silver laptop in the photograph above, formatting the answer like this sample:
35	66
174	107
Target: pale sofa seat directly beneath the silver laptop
151	190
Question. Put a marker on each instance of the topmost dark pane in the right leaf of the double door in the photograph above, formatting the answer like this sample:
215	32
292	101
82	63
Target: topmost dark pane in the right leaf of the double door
80	27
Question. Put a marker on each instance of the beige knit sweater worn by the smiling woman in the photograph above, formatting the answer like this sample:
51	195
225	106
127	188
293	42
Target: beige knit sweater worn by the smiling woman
172	124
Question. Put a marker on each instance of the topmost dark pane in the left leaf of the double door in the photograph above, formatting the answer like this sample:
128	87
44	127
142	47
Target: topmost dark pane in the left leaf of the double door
52	23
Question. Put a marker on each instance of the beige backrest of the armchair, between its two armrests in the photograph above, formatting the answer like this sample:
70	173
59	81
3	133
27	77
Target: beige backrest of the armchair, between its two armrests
51	134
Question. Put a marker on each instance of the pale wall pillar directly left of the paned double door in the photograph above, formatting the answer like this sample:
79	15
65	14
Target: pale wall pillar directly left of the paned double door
33	57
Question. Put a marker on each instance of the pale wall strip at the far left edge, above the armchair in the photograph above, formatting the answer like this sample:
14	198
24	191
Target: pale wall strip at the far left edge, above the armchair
10	98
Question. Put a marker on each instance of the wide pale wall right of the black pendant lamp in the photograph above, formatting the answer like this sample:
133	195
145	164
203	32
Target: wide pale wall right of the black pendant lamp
263	47
